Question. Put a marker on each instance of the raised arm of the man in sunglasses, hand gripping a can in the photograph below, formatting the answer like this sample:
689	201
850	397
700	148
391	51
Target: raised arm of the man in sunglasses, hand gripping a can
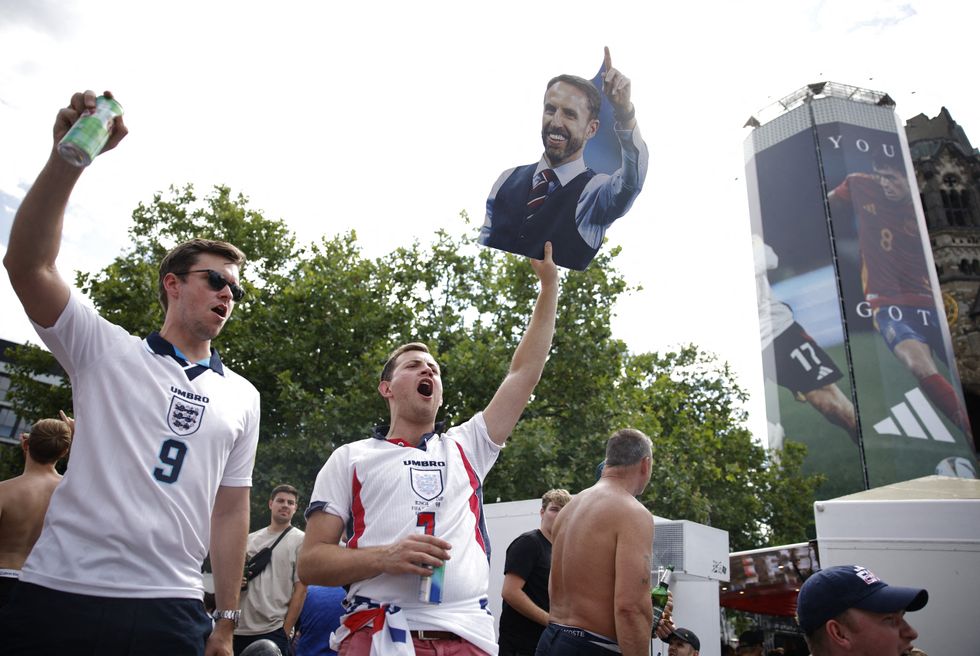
35	237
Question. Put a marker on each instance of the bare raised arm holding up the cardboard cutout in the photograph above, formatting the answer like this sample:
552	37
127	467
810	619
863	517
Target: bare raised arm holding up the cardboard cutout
508	403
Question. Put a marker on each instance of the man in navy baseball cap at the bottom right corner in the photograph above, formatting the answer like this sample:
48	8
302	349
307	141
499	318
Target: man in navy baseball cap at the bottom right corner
847	609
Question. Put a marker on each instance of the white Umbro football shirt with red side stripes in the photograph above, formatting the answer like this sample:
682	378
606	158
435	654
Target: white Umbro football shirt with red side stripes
384	492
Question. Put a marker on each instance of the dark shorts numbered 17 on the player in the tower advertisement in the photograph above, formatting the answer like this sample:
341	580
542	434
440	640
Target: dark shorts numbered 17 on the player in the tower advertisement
801	365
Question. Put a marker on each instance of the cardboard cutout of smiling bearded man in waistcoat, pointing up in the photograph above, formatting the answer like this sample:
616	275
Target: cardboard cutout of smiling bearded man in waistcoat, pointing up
560	199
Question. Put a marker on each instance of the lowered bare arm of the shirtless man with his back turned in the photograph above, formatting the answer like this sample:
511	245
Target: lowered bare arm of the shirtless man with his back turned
631	596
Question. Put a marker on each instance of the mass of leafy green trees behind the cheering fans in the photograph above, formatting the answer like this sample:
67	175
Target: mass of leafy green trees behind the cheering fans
318	322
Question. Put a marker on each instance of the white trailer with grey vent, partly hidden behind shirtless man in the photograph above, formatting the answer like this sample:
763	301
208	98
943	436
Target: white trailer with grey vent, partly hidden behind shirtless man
699	554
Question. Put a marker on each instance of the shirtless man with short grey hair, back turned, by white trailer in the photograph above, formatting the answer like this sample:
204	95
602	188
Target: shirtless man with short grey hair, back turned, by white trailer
601	559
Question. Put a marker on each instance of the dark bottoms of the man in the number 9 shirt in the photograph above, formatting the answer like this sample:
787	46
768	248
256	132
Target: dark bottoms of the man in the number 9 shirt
39	621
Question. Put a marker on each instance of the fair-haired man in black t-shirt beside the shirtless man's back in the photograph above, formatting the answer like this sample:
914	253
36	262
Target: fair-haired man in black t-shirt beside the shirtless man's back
525	592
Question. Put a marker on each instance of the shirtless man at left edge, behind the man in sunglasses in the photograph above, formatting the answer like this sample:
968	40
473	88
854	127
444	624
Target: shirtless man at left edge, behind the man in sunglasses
24	499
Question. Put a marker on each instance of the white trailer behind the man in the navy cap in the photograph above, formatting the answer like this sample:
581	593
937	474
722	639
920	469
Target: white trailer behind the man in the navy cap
922	533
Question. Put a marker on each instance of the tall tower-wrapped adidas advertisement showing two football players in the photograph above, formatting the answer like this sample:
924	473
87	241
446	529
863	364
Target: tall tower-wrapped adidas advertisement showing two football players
856	351
